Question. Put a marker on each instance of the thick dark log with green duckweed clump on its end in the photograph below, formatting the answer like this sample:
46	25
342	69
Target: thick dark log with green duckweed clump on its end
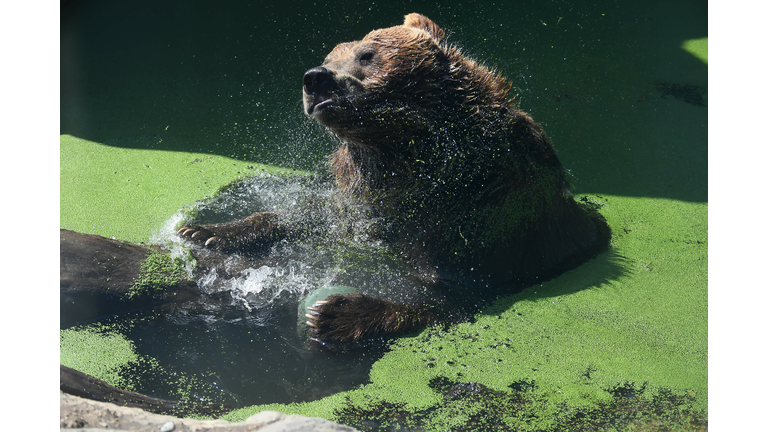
101	276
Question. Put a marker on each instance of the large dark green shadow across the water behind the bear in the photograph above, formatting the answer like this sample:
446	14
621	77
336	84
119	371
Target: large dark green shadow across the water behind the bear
226	79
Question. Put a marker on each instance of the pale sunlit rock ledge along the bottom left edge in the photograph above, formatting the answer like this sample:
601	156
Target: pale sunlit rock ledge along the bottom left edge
86	415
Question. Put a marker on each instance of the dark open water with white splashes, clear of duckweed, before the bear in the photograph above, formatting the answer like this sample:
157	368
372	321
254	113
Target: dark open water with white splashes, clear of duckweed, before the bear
245	341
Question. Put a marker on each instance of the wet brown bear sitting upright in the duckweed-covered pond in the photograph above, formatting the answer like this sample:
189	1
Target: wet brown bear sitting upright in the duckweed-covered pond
463	185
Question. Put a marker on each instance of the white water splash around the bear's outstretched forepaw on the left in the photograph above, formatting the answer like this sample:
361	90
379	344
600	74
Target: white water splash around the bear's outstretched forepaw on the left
255	282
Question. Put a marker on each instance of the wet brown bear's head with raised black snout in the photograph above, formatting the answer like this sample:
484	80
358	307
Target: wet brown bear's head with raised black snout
404	75
